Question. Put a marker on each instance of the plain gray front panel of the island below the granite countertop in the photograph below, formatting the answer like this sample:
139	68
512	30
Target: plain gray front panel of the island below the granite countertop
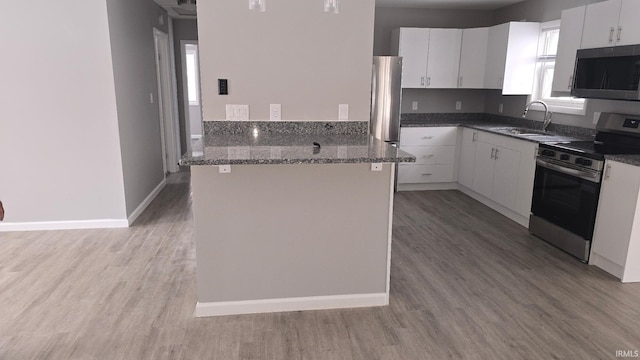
330	241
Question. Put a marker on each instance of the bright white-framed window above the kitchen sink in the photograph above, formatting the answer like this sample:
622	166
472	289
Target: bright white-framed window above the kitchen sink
547	48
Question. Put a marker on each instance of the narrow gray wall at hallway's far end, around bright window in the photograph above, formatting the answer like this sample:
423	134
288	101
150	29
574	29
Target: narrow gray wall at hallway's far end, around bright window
183	29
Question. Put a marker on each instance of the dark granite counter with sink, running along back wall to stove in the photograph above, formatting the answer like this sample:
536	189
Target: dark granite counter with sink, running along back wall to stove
490	123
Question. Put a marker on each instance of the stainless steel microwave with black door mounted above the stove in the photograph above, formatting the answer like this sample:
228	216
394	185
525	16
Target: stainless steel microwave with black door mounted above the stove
608	73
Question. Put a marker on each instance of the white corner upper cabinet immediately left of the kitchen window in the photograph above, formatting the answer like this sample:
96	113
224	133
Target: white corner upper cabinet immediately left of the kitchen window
511	57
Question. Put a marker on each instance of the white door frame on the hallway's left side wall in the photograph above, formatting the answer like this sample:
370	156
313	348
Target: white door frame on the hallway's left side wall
169	133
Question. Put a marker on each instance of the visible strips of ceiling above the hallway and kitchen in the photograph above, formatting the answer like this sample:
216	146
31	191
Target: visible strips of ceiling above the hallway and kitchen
176	11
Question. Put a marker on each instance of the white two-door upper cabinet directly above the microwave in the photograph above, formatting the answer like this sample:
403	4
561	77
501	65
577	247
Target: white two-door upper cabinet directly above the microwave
611	23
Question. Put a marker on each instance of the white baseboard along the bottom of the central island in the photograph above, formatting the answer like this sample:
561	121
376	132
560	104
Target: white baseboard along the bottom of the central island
290	304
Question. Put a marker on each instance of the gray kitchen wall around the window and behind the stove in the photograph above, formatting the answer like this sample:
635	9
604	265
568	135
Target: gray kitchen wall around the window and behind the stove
546	10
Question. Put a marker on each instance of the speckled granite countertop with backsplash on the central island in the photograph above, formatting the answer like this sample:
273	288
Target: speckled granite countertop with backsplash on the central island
253	143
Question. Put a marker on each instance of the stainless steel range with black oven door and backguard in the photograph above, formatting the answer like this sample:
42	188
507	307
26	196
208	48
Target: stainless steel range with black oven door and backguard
567	183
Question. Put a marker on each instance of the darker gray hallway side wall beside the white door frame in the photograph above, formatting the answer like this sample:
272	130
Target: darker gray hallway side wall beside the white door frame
131	26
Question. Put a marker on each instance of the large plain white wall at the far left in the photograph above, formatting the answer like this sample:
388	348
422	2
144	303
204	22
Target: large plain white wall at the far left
60	159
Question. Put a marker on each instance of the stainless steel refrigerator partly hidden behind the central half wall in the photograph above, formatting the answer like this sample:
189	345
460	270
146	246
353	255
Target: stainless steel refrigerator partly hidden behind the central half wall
386	98
